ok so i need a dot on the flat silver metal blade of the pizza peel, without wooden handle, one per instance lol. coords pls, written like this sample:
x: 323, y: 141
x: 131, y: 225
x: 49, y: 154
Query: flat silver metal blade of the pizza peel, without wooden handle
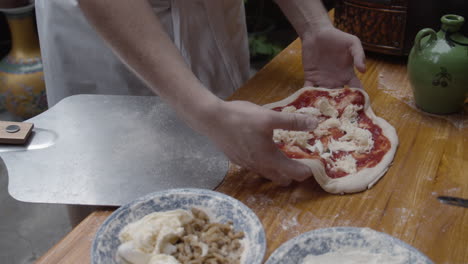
x: 108, y: 150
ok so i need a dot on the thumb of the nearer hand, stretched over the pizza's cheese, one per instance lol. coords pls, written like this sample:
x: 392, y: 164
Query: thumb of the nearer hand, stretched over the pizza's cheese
x: 293, y: 121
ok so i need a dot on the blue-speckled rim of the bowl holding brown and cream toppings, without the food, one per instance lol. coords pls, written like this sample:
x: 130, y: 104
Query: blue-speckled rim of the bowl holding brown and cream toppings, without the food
x: 220, y: 208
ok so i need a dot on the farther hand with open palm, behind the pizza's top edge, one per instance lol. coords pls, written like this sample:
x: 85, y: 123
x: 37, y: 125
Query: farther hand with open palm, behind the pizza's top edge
x: 329, y: 56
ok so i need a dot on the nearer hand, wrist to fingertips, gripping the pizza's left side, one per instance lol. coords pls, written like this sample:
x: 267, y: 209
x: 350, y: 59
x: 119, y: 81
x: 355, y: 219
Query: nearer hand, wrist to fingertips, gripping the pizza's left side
x: 244, y: 133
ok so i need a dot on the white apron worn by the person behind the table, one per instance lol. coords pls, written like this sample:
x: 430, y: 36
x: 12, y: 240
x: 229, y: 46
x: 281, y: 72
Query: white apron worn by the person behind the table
x: 210, y: 34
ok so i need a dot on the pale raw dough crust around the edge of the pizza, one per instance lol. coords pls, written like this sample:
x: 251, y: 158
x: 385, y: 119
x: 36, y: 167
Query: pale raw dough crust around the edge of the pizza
x: 363, y: 179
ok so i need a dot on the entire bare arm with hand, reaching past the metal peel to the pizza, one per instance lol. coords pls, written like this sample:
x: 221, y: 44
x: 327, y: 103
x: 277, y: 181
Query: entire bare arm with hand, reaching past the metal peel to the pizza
x: 242, y: 130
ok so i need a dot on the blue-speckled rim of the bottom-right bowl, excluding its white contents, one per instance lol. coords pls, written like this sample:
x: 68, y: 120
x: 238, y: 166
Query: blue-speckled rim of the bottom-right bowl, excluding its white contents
x: 327, y: 240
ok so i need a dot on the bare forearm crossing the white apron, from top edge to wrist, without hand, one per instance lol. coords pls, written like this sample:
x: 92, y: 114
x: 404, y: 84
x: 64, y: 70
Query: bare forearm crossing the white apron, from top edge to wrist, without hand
x: 138, y: 38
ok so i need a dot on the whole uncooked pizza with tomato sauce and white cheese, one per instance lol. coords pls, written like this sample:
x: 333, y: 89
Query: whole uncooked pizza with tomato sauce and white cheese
x: 340, y: 131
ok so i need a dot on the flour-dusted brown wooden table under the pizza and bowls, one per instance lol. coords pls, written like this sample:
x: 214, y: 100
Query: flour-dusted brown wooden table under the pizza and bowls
x: 432, y: 160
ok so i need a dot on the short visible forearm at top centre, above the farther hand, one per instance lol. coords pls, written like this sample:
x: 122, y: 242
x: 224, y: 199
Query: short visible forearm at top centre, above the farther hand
x: 306, y: 16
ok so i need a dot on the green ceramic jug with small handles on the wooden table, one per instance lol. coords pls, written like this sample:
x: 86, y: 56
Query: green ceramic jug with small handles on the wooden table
x: 438, y: 67
